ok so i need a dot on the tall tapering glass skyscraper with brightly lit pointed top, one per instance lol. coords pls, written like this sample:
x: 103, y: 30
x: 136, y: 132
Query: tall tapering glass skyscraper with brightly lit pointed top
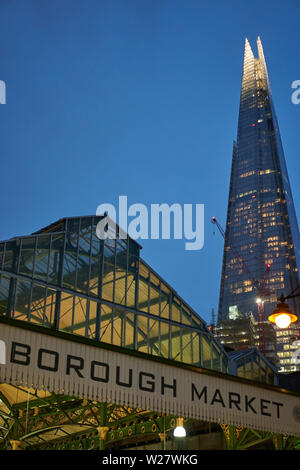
x: 262, y: 247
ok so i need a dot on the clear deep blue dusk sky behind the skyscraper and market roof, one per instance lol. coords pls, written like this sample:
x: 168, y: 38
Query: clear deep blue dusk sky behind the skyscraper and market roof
x: 138, y: 98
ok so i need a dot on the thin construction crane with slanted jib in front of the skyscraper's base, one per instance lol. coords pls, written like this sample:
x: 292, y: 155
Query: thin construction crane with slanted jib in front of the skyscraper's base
x: 260, y: 286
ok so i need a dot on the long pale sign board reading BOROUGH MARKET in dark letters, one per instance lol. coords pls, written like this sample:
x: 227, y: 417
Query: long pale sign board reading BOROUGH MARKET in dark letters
x: 90, y: 371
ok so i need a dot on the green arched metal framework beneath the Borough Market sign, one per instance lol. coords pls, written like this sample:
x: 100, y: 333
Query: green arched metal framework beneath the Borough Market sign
x: 30, y: 419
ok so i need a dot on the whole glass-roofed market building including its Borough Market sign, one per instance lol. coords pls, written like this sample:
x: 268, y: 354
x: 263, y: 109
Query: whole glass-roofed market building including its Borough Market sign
x: 97, y: 351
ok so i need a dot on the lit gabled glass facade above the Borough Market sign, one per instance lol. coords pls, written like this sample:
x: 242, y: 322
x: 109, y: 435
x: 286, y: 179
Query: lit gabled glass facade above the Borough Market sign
x: 63, y: 277
